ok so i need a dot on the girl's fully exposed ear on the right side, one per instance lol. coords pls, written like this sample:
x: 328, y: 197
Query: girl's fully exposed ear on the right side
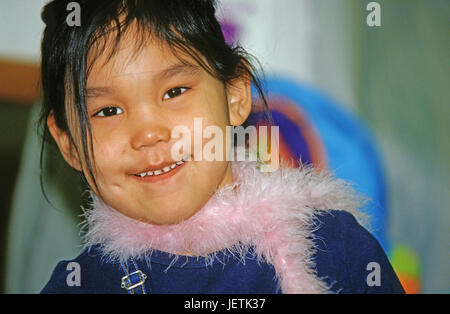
x: 239, y: 96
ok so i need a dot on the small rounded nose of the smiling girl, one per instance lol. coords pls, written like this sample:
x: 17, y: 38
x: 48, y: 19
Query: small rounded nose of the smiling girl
x: 148, y: 133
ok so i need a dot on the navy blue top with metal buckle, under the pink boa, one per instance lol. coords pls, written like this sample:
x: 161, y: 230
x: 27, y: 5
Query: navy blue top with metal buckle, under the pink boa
x: 348, y: 258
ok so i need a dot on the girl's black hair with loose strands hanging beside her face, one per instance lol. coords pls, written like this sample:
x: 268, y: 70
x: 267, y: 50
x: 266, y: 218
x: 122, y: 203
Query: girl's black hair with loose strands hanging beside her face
x: 187, y: 26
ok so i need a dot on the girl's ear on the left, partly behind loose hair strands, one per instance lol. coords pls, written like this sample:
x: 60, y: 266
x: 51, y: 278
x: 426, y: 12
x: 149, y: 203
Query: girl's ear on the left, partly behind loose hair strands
x: 65, y: 146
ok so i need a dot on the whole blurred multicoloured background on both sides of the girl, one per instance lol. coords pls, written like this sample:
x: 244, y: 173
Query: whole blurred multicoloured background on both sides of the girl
x: 370, y: 104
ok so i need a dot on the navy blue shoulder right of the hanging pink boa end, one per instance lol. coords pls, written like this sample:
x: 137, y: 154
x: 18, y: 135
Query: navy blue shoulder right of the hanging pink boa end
x: 349, y: 258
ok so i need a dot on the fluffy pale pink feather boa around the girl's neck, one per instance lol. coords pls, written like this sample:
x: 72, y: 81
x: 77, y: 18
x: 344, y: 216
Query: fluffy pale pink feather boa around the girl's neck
x: 272, y: 212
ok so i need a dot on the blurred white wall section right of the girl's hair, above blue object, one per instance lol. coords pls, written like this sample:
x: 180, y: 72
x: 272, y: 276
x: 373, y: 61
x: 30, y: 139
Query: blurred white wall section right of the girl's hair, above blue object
x: 308, y: 40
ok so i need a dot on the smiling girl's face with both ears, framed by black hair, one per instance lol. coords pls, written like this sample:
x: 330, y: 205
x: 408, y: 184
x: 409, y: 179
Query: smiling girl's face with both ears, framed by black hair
x: 134, y: 101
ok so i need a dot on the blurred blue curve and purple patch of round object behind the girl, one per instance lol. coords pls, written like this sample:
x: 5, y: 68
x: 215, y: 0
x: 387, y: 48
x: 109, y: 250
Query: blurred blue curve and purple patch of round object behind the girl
x: 351, y: 150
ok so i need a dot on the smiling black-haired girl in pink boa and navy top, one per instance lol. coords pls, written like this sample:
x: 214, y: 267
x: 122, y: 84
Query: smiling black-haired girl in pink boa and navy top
x: 114, y: 89
